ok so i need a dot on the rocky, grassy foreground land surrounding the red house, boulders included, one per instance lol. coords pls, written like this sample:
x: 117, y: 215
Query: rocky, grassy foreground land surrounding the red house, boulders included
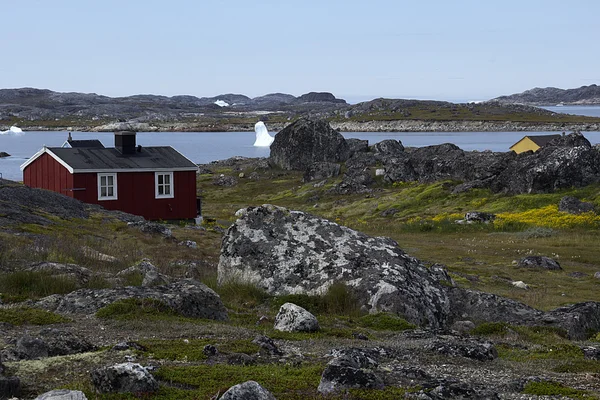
x: 334, y: 269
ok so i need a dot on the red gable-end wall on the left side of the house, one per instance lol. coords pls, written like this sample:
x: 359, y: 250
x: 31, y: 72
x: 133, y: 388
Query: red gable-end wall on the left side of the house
x: 47, y: 173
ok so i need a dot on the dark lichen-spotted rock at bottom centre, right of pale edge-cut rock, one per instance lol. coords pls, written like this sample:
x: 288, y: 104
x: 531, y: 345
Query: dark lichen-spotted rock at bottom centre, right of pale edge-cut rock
x: 350, y: 369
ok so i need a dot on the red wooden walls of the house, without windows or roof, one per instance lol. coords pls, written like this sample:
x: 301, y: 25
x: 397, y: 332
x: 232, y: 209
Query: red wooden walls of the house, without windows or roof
x: 135, y: 190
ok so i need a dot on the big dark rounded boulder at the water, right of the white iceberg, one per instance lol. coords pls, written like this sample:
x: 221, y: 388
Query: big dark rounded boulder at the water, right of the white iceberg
x: 305, y: 142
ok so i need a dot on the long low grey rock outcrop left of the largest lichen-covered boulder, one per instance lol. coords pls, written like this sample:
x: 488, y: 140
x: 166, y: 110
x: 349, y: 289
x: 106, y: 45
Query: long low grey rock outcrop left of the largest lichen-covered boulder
x: 186, y: 297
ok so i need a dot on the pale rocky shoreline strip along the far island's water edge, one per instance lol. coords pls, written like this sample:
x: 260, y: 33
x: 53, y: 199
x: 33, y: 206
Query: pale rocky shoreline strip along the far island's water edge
x: 346, y: 126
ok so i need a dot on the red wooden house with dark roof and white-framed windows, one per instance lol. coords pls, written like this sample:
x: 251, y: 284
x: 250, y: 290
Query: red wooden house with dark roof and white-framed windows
x: 154, y: 182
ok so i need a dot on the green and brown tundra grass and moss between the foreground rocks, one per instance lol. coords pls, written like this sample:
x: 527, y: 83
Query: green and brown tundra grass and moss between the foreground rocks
x: 477, y: 256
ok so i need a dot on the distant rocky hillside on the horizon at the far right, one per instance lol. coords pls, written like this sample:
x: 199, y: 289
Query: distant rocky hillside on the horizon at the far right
x: 550, y: 96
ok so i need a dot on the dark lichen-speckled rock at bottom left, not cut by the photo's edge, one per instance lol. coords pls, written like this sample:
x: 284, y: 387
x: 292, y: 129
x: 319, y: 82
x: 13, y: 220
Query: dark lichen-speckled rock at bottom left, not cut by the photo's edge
x: 123, y: 378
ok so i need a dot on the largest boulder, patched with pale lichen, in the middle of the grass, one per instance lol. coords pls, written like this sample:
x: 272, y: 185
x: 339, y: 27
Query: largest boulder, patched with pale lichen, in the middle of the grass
x: 287, y: 252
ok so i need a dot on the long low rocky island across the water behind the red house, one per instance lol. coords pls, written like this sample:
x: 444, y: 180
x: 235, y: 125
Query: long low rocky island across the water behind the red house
x: 39, y: 109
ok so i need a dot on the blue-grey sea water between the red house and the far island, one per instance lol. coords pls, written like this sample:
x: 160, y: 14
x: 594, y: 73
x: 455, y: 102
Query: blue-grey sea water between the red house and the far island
x: 204, y: 147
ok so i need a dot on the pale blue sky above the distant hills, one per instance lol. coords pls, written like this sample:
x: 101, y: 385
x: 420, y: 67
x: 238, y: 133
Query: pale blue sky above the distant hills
x: 456, y: 50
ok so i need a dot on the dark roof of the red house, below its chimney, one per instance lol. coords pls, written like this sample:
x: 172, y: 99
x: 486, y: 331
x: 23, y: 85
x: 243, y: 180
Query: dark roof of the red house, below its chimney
x: 149, y: 158
